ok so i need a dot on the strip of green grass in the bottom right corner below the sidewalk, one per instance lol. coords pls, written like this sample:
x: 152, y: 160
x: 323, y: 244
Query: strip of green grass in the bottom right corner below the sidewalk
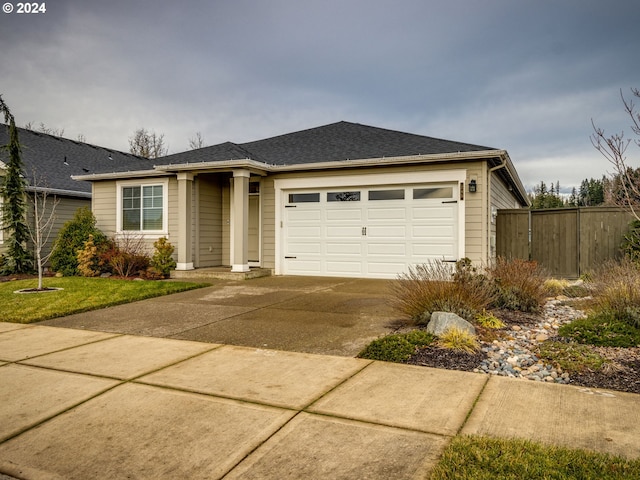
x: 482, y: 458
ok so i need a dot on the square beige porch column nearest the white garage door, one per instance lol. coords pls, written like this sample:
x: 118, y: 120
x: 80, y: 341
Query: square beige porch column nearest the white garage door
x: 240, y: 222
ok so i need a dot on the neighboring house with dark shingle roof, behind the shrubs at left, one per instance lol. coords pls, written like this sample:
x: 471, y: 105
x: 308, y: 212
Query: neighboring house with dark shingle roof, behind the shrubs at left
x: 50, y: 161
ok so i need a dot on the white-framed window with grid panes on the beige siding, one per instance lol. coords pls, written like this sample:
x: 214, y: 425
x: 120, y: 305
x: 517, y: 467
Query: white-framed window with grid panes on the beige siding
x: 142, y: 206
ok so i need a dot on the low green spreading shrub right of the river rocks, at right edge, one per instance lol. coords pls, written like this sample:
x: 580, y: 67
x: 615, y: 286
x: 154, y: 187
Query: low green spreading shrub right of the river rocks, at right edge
x: 602, y: 329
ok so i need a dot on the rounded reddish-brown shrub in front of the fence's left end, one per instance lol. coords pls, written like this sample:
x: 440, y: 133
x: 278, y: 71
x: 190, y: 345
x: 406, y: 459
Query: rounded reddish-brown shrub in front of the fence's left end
x: 519, y: 284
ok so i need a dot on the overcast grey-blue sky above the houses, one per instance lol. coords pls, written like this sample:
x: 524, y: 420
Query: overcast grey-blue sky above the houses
x: 526, y: 76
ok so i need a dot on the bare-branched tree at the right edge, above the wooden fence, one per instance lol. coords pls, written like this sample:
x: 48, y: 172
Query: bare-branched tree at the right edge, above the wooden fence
x: 613, y: 148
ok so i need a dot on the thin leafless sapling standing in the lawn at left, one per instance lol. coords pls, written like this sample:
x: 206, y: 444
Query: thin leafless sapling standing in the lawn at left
x: 44, y: 217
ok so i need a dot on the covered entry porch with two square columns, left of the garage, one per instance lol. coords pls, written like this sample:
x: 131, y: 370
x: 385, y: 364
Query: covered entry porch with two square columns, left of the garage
x: 217, y: 217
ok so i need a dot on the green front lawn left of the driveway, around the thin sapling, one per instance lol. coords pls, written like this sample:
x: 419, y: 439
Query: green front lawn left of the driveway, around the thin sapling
x: 79, y: 294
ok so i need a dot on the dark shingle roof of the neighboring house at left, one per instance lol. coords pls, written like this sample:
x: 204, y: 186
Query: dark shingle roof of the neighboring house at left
x: 55, y: 159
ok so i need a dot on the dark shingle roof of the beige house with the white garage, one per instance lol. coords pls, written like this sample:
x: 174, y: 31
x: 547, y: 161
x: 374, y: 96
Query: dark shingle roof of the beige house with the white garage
x: 335, y: 142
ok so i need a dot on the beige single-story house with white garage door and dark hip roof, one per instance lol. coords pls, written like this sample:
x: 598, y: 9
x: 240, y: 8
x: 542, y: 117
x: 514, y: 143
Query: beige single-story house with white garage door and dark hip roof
x: 343, y: 199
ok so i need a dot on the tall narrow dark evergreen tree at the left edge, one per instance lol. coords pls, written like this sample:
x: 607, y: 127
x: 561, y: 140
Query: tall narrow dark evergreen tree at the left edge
x: 19, y: 260
